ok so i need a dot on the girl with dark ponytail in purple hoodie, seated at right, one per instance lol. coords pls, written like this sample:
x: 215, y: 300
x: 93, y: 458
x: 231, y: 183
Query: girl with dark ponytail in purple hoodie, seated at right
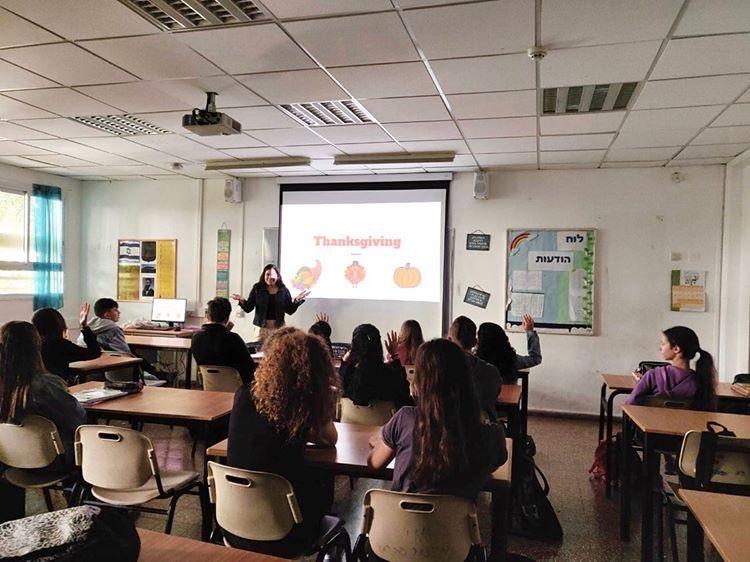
x: 677, y: 380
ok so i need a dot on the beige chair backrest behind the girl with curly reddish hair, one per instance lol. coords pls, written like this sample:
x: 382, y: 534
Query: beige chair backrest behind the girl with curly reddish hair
x: 253, y: 505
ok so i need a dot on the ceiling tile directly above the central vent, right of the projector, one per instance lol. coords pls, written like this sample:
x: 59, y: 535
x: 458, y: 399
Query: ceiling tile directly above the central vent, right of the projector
x: 294, y: 86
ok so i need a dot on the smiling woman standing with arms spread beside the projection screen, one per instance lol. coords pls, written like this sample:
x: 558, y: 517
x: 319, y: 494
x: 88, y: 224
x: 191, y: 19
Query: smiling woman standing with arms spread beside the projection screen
x: 271, y: 300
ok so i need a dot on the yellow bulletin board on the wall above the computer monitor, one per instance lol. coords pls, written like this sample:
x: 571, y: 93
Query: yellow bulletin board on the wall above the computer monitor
x: 146, y: 269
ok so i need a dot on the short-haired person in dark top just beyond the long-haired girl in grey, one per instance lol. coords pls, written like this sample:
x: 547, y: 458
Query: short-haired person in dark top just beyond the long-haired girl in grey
x: 487, y: 379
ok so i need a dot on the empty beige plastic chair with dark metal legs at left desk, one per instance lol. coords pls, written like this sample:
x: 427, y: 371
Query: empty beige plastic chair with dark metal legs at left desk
x: 120, y: 469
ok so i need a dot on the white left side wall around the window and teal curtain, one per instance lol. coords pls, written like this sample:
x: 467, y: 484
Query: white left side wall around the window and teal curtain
x: 23, y: 178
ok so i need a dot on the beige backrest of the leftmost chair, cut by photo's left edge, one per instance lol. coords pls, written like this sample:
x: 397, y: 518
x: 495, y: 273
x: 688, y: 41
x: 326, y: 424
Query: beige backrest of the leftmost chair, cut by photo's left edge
x: 32, y: 443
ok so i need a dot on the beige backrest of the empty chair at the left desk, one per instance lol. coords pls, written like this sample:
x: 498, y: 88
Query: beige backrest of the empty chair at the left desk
x: 115, y: 458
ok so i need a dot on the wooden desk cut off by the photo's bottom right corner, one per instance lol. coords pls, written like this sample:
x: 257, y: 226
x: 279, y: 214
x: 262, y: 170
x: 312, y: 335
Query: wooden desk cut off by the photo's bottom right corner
x: 723, y: 518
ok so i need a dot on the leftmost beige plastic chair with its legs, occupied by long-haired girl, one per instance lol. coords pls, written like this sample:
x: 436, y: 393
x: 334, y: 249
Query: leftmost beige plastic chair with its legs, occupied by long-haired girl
x: 35, y: 444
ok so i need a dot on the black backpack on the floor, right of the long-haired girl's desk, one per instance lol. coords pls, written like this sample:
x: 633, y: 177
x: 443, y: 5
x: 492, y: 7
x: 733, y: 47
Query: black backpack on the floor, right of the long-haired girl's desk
x: 533, y: 515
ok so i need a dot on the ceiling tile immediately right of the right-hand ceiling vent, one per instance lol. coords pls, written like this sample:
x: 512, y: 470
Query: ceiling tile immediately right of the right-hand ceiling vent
x: 691, y: 91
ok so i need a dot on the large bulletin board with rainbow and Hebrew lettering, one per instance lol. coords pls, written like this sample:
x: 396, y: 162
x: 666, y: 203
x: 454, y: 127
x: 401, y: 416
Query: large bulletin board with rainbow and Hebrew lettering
x: 550, y: 275
